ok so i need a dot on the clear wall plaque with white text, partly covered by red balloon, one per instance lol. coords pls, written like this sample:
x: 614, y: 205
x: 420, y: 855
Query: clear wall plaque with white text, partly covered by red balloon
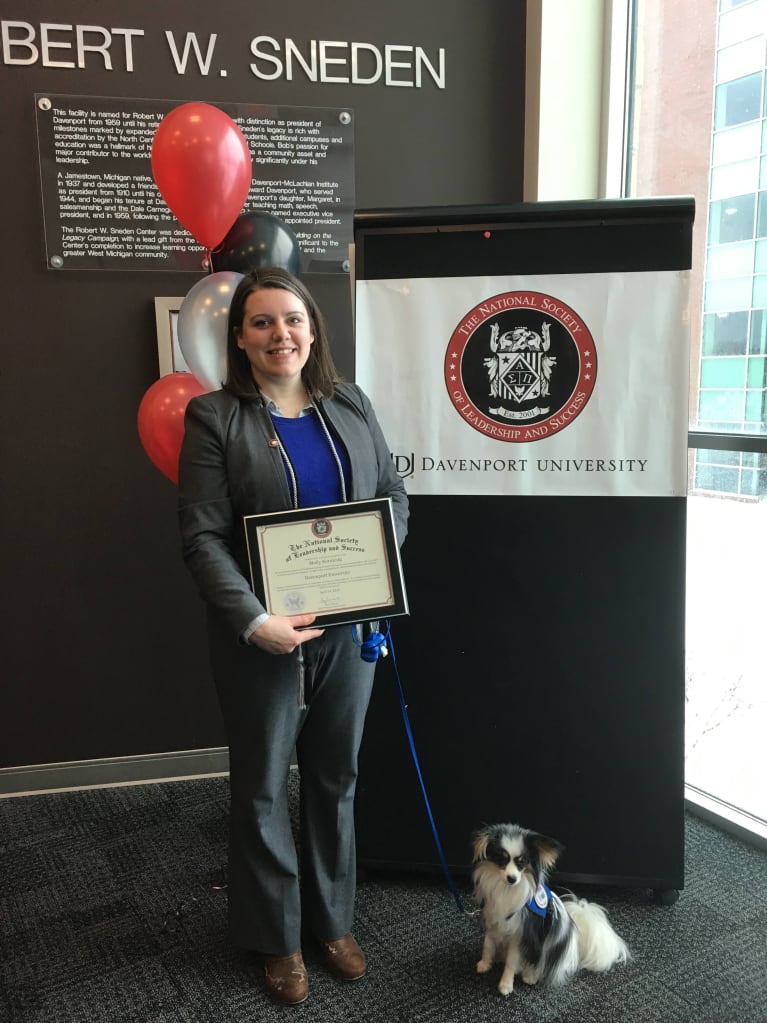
x: 103, y: 210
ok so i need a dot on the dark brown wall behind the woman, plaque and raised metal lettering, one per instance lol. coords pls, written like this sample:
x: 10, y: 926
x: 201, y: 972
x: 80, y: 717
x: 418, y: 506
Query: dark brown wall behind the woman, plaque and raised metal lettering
x: 102, y: 641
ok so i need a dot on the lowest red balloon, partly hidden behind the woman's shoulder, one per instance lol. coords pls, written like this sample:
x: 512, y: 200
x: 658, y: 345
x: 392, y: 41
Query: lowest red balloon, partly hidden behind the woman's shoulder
x: 161, y: 420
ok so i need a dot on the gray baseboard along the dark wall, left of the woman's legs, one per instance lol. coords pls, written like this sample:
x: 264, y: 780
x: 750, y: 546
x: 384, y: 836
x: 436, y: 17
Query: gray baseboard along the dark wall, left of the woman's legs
x: 111, y: 772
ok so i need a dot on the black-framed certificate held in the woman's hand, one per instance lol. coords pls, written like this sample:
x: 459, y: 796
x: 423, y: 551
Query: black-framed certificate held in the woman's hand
x: 340, y: 562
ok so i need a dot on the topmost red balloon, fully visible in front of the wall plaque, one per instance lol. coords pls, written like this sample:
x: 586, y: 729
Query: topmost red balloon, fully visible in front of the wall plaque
x: 202, y: 166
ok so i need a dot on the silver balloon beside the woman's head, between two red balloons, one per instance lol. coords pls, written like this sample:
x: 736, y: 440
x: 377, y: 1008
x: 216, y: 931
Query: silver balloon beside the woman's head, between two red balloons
x: 203, y: 321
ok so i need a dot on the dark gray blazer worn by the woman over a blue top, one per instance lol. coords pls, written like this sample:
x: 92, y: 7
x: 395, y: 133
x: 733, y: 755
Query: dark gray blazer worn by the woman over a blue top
x: 229, y: 470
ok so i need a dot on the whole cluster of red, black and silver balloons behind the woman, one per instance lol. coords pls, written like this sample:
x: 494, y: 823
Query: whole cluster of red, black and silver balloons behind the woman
x: 202, y: 166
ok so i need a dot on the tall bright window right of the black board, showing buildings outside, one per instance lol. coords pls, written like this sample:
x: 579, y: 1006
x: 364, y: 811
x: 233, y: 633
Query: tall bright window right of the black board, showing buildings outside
x: 700, y: 126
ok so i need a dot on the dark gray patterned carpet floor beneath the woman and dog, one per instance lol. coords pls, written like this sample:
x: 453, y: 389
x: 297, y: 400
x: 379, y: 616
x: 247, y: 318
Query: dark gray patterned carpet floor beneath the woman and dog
x: 113, y: 908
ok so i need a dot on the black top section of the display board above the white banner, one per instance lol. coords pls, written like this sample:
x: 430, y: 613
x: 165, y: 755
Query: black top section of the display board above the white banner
x: 578, y: 237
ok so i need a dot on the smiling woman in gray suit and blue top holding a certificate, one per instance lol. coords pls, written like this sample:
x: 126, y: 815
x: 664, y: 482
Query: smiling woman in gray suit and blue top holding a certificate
x: 283, y: 433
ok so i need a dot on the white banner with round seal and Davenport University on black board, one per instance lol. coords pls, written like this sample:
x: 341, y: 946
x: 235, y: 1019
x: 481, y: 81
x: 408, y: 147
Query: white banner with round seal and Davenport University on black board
x: 572, y: 385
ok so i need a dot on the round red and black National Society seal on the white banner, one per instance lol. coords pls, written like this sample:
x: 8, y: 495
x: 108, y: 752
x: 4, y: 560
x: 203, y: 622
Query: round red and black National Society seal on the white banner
x: 521, y: 367
